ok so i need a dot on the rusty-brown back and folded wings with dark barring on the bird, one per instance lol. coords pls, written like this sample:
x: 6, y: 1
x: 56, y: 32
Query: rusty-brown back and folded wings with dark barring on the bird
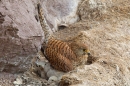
x: 60, y: 55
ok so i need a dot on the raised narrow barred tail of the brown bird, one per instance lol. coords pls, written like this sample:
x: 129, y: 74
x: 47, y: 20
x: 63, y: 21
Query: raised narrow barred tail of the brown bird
x: 45, y: 27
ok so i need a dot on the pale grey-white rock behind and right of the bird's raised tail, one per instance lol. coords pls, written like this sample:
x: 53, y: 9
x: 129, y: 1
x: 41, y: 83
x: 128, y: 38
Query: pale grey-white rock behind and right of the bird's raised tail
x: 60, y: 12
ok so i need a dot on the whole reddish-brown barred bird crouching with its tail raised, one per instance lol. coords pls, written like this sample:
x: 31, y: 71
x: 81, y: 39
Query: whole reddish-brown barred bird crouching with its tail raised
x: 63, y: 56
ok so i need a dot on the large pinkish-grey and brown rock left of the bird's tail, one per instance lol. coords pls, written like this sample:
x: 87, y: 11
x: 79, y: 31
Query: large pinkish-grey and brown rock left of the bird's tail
x: 20, y: 35
